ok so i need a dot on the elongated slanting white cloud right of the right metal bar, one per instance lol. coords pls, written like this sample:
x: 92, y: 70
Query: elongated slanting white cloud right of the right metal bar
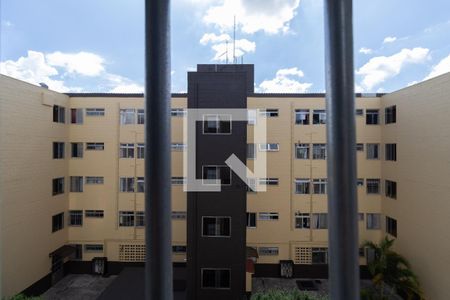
x: 380, y: 68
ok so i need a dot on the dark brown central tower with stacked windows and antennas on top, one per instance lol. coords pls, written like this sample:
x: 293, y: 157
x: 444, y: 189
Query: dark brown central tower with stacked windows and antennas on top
x: 216, y: 222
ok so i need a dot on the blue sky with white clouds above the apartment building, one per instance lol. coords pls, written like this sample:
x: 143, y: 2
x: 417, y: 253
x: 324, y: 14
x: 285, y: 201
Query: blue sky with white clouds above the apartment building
x: 98, y: 46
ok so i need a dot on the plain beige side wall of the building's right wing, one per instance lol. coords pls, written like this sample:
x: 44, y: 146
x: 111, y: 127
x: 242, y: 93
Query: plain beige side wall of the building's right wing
x: 422, y: 172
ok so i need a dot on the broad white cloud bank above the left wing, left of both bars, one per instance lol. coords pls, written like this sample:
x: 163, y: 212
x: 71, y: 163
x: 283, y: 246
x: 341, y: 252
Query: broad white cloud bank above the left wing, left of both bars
x: 50, y: 68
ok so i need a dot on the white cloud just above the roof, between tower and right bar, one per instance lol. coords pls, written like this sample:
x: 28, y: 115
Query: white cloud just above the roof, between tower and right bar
x: 285, y: 81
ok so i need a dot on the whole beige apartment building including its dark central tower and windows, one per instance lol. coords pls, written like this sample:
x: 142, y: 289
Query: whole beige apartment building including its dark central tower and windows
x: 72, y: 173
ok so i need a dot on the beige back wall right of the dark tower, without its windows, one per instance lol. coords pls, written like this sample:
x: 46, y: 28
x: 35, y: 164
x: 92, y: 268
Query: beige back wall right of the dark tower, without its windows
x: 283, y: 165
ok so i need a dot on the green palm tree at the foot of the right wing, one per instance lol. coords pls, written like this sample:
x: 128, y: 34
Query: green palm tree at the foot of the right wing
x: 390, y: 268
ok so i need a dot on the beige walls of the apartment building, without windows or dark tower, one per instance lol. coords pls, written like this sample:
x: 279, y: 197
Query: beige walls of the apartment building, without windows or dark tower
x: 27, y: 169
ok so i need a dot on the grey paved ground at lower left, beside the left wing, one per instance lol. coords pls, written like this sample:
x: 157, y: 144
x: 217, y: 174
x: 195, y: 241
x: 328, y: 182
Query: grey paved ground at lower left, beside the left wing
x: 78, y: 287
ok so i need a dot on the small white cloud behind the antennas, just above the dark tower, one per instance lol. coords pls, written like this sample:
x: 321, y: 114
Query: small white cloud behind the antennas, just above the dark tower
x: 224, y: 50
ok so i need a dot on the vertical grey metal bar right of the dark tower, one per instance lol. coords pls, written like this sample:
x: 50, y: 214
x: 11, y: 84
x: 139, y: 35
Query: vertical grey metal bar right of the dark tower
x: 341, y: 146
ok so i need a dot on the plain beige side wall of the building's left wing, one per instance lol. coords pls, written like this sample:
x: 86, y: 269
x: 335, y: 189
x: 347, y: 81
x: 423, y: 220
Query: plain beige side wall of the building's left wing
x: 27, y: 133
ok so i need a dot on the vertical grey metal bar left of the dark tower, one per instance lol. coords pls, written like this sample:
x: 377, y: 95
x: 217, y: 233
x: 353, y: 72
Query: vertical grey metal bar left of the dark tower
x: 158, y: 267
